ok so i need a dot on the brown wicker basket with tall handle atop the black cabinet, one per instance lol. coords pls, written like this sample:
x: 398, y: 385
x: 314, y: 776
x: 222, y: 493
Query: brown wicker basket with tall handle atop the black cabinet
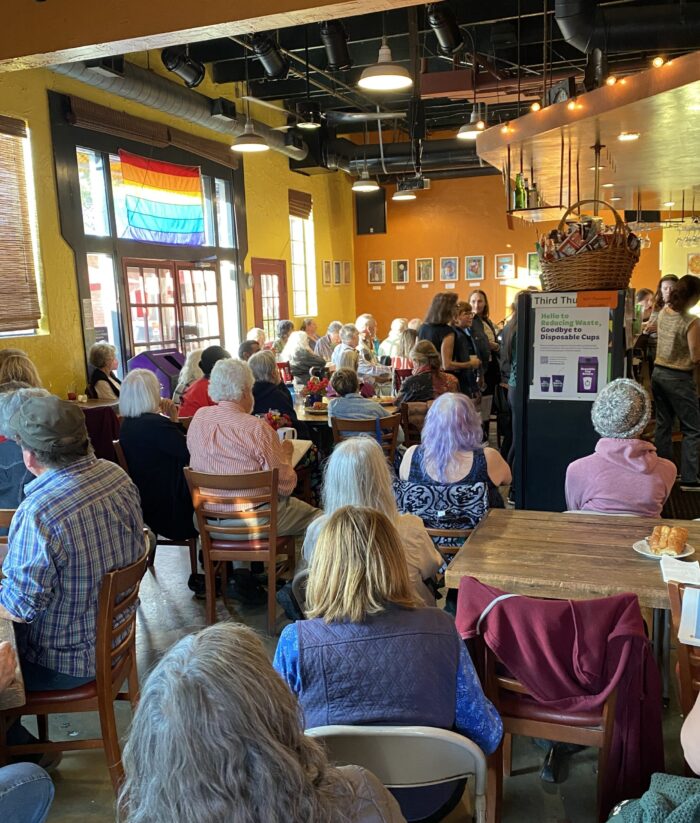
x: 608, y: 268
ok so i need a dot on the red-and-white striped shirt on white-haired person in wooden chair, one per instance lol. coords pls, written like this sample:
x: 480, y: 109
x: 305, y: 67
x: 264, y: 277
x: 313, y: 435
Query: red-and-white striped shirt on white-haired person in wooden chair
x: 224, y: 439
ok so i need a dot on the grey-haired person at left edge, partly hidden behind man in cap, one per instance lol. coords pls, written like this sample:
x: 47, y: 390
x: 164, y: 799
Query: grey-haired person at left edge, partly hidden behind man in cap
x: 13, y: 473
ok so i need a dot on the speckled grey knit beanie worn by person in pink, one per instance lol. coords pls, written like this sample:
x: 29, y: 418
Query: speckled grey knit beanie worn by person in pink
x: 621, y: 410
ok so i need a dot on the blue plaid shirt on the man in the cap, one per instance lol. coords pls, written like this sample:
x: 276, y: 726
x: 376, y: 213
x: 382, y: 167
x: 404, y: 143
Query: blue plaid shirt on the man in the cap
x: 74, y: 525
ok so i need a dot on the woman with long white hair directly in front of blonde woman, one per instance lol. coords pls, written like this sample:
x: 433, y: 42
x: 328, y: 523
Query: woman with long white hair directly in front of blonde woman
x: 357, y: 474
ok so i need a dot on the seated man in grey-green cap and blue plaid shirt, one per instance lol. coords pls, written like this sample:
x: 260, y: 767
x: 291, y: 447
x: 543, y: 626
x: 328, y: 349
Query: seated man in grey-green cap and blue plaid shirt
x: 80, y: 519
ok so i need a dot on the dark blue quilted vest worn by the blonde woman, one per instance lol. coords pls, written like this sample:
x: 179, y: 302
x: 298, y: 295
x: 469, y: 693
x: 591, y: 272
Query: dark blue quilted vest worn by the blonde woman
x: 395, y: 668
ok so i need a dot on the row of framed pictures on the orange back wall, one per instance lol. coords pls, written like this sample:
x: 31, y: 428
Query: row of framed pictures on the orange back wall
x: 504, y: 266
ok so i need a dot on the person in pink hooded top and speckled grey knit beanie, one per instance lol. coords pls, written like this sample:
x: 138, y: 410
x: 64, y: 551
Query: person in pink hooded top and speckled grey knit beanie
x: 624, y: 475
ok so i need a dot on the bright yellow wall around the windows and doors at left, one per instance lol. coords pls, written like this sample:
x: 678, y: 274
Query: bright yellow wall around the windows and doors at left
x: 58, y: 349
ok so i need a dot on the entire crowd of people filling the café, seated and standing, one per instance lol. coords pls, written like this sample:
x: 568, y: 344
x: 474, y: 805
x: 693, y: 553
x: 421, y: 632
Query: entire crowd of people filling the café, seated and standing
x: 373, y: 568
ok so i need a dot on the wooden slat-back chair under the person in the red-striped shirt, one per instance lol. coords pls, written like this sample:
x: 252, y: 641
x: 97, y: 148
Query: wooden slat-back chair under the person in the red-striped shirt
x: 258, y: 492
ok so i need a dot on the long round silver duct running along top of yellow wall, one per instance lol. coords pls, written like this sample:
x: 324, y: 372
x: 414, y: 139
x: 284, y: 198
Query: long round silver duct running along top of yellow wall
x: 156, y: 92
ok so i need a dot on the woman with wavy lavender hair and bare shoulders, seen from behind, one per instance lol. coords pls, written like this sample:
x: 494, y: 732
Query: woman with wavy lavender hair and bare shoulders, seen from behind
x: 451, y: 480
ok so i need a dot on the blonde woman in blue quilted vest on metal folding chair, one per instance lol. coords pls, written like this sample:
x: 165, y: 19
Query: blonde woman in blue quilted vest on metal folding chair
x: 369, y: 653
